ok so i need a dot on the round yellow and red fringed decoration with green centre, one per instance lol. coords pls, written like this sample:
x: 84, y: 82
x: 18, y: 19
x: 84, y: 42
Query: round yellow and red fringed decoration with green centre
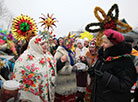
x: 22, y: 25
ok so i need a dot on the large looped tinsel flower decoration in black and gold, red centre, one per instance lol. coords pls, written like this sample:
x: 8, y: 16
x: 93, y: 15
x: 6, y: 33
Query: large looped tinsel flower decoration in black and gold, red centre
x: 109, y: 21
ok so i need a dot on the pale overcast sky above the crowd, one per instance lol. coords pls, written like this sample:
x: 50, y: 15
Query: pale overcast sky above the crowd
x: 72, y: 15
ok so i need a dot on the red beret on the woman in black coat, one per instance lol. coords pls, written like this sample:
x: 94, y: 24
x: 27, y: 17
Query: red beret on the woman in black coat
x: 114, y: 36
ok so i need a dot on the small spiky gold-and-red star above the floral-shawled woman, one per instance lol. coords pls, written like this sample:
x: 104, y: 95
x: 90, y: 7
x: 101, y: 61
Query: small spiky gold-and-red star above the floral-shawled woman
x: 48, y: 21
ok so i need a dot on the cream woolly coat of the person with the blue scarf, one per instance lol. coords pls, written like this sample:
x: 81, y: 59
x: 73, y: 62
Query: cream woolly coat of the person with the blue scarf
x: 66, y: 79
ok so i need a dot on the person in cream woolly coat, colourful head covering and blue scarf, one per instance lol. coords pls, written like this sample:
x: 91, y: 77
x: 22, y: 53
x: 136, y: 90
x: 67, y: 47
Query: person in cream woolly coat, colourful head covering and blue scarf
x: 66, y: 77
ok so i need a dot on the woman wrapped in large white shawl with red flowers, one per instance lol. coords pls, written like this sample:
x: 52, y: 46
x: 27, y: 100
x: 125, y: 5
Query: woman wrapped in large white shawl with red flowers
x: 35, y: 70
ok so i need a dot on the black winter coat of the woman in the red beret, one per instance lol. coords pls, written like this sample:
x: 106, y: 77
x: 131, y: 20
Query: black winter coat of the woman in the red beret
x: 119, y: 75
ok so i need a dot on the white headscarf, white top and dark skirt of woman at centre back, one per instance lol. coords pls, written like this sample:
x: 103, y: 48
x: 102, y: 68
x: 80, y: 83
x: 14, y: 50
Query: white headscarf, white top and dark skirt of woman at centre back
x: 81, y: 75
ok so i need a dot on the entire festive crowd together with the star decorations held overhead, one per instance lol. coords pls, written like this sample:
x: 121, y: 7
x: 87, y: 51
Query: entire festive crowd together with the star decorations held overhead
x: 71, y: 68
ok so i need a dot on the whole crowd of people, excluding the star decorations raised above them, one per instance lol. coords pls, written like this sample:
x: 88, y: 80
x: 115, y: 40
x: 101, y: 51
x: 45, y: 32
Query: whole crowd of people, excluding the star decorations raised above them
x: 67, y: 70
